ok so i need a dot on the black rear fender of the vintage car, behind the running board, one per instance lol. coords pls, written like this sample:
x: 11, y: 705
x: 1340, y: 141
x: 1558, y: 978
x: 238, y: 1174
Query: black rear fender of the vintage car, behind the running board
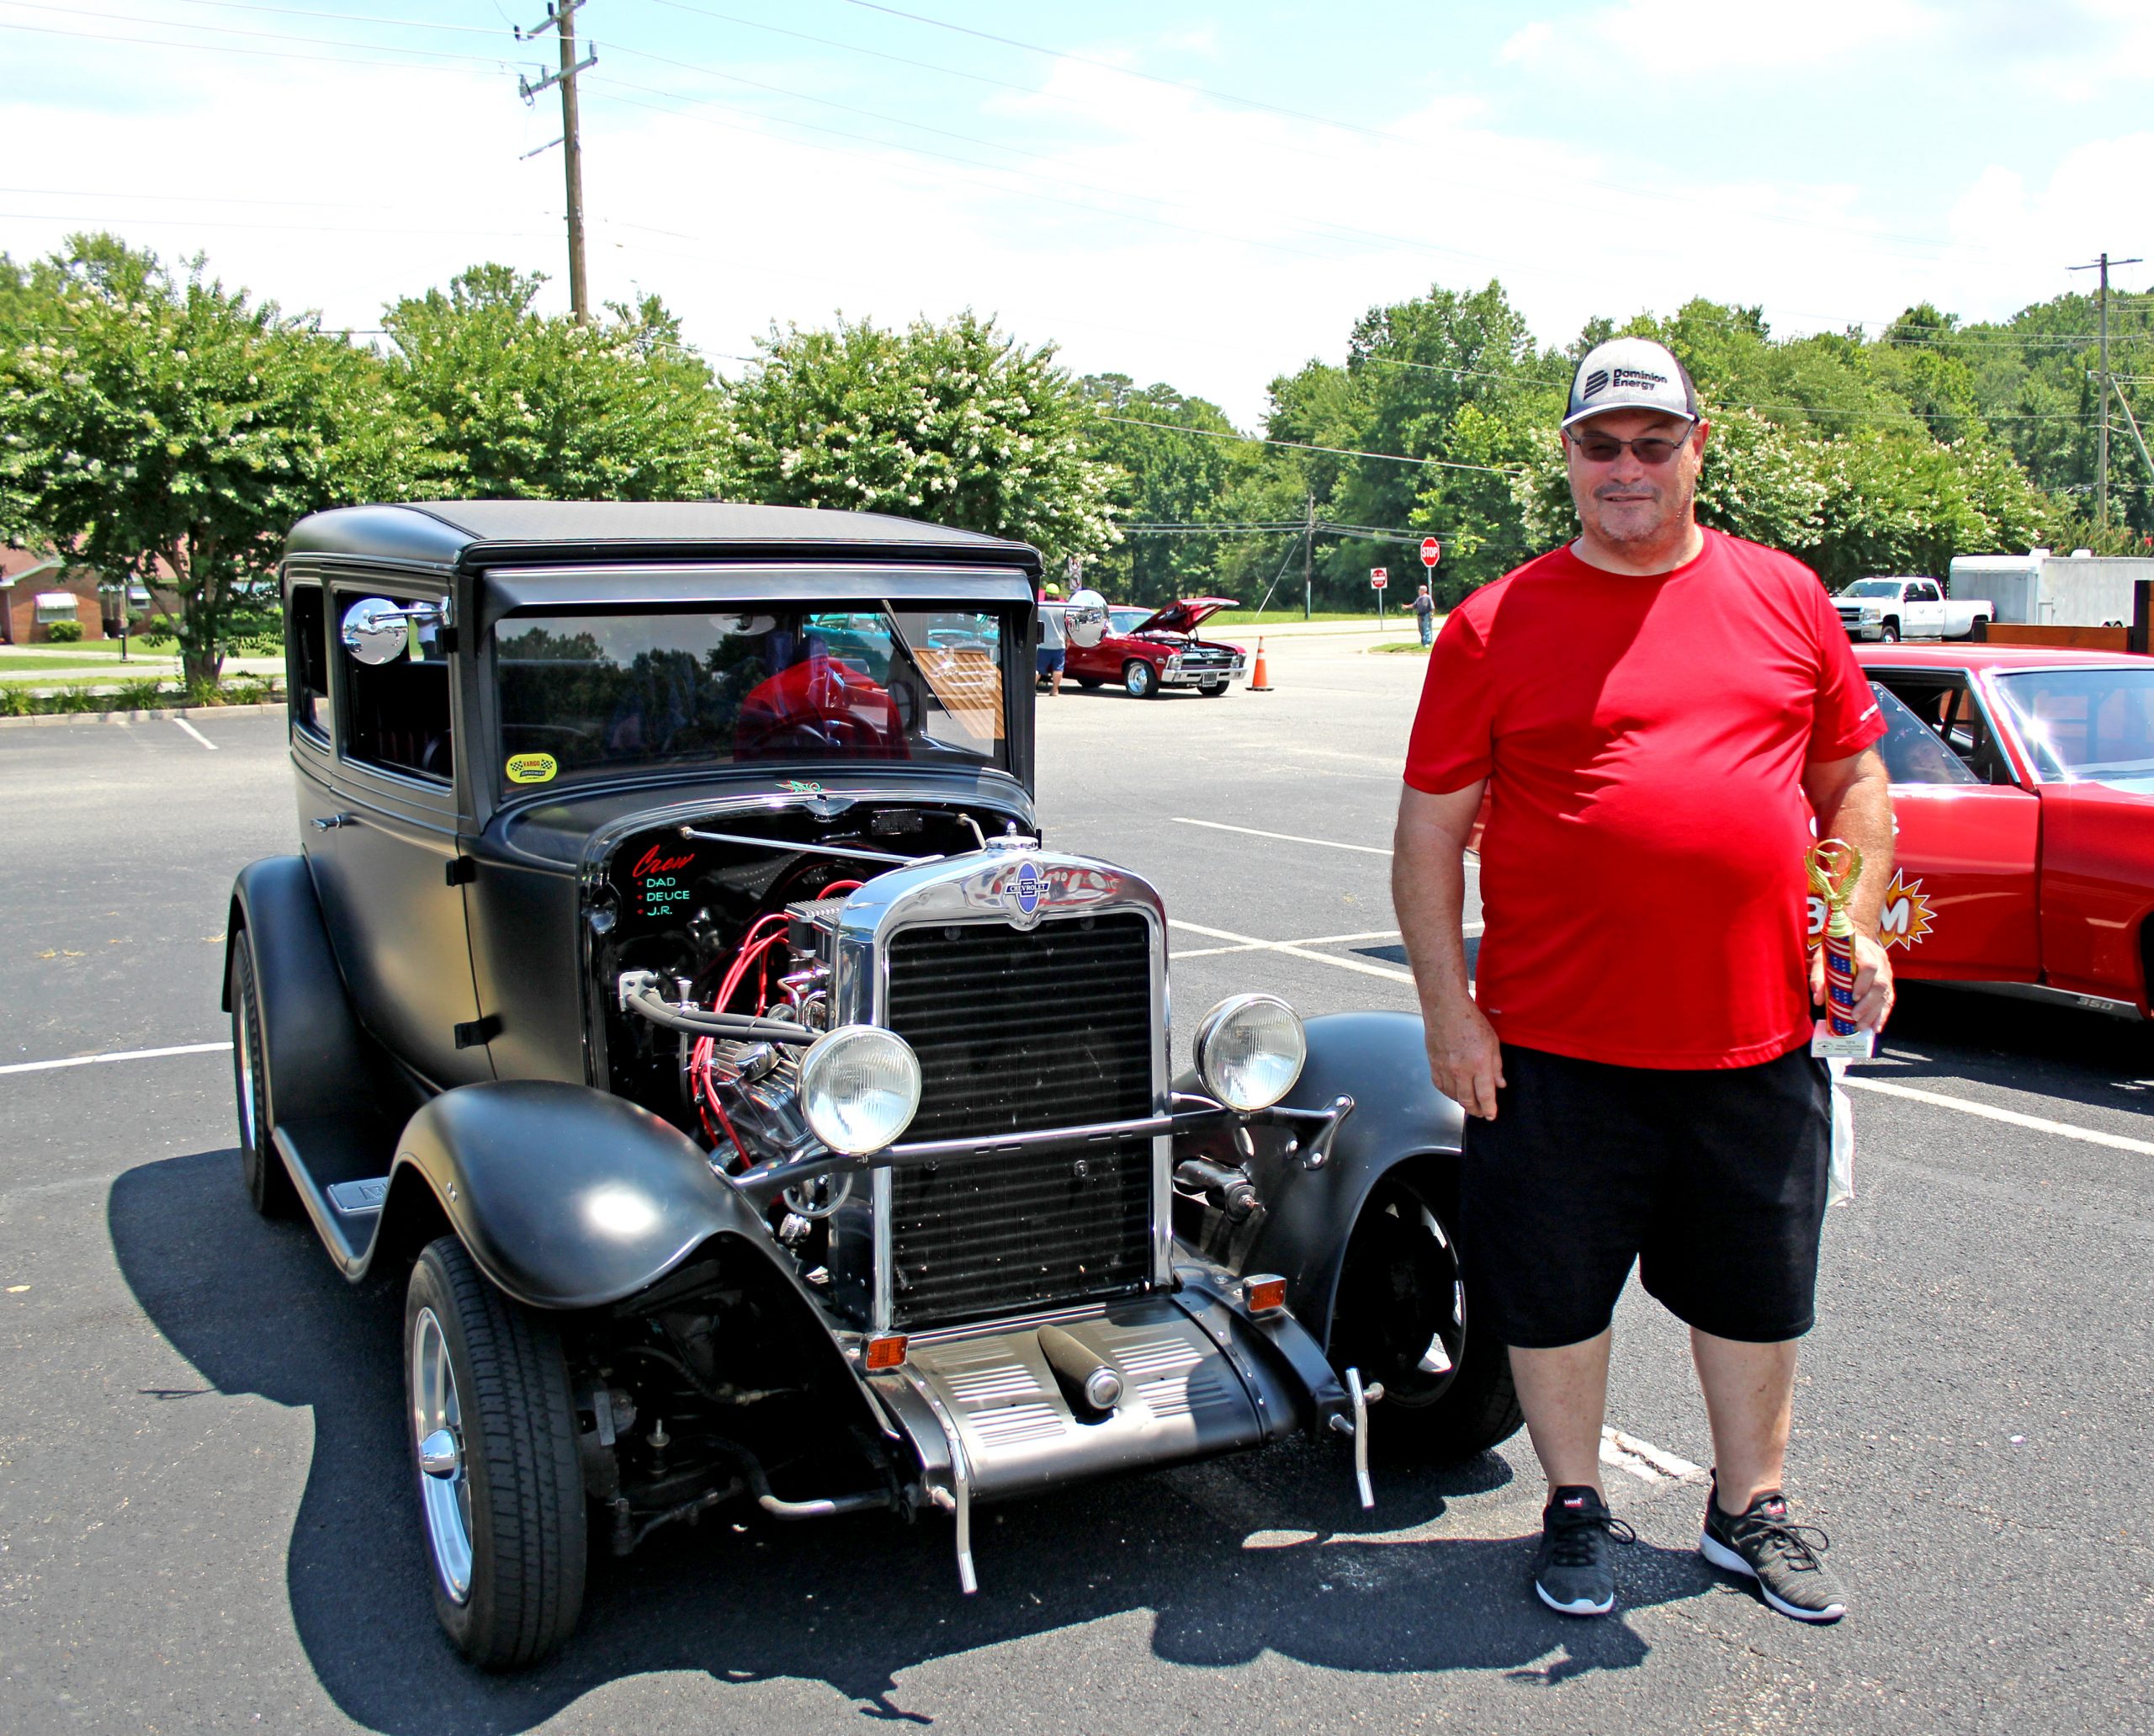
x: 316, y: 1052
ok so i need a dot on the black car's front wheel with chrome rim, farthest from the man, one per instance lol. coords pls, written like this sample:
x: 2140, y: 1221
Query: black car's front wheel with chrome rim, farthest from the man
x: 494, y: 1453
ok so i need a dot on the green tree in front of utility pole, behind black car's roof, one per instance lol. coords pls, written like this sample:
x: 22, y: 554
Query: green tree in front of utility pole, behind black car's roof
x: 516, y: 404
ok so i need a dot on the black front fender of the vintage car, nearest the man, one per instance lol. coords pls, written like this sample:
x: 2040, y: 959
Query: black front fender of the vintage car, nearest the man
x: 1399, y: 1117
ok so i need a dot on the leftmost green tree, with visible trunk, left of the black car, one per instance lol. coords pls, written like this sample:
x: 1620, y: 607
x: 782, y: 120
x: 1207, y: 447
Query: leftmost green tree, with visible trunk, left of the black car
x: 169, y: 432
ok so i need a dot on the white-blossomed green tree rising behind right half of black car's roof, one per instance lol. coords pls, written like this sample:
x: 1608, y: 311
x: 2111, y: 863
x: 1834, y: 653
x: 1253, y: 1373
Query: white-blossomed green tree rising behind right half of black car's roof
x: 951, y: 423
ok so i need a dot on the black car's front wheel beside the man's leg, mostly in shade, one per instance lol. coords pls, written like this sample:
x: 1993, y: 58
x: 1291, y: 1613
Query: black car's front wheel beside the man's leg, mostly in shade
x: 1401, y: 1319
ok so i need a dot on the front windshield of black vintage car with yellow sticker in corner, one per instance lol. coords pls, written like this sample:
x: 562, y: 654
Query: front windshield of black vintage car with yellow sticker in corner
x: 609, y: 692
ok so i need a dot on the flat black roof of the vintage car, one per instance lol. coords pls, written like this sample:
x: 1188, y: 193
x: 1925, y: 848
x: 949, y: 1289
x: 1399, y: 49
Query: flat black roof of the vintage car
x: 488, y: 533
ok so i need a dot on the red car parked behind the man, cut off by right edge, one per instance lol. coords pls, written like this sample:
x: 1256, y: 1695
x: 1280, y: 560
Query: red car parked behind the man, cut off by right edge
x: 2024, y: 789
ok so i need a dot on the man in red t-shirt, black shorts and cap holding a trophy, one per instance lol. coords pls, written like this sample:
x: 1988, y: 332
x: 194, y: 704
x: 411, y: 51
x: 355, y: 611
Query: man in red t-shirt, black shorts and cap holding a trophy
x: 1658, y: 714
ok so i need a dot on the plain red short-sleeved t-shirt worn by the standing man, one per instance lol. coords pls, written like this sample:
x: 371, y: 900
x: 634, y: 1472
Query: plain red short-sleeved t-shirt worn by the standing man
x: 1645, y: 744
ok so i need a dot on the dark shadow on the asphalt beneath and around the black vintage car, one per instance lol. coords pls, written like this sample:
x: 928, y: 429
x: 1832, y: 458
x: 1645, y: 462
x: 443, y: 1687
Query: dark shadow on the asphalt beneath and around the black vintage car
x: 257, y: 1311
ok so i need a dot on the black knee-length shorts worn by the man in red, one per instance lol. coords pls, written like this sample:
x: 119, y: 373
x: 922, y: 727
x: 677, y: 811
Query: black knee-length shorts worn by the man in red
x: 1711, y: 1179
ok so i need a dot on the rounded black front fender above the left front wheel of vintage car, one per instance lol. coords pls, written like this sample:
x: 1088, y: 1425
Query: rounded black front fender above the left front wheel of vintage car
x: 568, y: 1196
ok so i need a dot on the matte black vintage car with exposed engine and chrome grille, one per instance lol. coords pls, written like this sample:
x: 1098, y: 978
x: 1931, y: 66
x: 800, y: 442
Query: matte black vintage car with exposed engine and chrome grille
x: 675, y: 985
